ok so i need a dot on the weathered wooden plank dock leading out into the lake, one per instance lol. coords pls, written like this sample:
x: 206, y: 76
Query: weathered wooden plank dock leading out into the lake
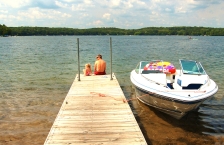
x: 94, y: 113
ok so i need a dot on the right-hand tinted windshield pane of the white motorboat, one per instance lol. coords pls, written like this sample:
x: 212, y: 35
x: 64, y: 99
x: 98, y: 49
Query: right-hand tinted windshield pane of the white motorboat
x: 191, y: 67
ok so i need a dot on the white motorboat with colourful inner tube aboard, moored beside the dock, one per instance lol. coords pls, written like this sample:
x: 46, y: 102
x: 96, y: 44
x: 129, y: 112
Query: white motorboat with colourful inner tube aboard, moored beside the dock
x: 173, y: 91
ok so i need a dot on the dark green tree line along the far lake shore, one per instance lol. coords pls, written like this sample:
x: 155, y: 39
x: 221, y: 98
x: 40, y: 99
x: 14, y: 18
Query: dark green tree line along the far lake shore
x: 43, y: 31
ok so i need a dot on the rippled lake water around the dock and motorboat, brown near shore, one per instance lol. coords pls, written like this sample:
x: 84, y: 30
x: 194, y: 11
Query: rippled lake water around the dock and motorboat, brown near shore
x: 36, y: 73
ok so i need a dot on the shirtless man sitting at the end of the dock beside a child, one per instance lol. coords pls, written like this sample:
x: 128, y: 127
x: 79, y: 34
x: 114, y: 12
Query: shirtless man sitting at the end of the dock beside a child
x: 100, y: 66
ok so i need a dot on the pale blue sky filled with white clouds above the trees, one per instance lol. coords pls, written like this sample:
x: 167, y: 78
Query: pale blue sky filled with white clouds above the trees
x: 125, y: 14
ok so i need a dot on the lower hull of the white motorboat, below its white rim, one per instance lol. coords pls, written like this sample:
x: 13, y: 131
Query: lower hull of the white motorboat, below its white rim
x: 174, y: 108
